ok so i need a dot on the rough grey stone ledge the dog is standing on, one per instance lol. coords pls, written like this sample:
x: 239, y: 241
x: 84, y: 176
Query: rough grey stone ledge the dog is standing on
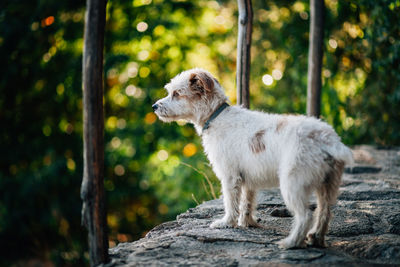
x: 365, y: 228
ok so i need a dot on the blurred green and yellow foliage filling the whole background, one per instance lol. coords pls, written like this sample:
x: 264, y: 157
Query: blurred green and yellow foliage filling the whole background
x: 155, y: 170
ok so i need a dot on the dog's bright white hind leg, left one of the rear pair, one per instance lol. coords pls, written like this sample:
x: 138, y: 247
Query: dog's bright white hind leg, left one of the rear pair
x: 296, y: 197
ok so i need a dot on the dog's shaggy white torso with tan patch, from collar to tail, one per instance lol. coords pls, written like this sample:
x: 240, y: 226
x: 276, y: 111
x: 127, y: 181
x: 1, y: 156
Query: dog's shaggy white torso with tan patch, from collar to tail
x: 262, y: 145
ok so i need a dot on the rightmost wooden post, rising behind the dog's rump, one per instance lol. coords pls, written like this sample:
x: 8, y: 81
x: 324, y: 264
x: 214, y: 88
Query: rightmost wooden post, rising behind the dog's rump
x: 315, y: 54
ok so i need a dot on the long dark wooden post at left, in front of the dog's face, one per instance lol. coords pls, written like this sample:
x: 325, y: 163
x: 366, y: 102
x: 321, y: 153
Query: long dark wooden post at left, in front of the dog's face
x: 92, y: 190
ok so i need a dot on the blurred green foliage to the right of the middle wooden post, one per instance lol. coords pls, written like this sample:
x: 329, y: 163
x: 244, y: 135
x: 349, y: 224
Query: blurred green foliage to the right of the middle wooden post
x: 361, y: 75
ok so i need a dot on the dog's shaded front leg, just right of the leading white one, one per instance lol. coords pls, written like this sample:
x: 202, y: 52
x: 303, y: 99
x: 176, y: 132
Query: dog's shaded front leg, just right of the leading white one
x: 246, y: 210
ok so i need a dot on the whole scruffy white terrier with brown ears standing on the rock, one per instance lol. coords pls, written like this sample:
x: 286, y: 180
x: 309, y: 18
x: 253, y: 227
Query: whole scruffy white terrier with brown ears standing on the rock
x: 251, y: 150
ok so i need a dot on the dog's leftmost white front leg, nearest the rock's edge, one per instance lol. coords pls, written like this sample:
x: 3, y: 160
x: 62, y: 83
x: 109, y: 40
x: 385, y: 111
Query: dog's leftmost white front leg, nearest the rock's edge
x: 231, y: 189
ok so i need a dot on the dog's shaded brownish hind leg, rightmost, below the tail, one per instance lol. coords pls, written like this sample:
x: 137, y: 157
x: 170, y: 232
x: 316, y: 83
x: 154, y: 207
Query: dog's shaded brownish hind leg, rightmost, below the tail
x: 326, y: 196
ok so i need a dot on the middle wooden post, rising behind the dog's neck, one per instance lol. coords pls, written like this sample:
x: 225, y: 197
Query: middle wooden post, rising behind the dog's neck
x: 245, y: 24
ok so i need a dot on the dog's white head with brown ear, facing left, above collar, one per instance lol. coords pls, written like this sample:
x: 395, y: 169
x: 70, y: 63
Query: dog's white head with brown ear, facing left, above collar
x: 192, y: 96
